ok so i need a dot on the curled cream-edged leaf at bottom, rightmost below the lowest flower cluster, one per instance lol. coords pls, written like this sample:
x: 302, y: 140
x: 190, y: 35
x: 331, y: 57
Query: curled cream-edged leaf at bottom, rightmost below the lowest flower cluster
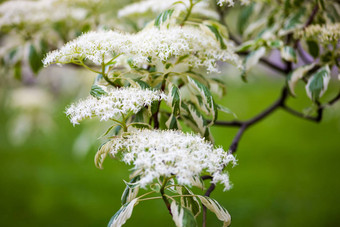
x: 220, y: 212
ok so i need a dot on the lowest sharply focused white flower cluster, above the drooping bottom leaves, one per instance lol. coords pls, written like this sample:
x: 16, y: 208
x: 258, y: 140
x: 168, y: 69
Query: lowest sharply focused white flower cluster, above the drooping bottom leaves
x: 156, y: 153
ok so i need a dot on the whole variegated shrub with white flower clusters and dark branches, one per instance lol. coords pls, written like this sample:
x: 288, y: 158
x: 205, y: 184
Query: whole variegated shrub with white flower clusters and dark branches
x: 152, y: 81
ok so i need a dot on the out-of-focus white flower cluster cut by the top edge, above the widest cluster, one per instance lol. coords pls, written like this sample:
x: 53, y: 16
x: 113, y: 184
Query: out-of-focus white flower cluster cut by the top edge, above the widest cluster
x: 158, y: 6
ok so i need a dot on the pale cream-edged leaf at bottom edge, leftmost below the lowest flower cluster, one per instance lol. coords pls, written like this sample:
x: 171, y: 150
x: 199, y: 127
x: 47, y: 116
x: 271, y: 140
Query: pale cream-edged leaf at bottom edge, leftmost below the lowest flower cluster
x: 123, y: 214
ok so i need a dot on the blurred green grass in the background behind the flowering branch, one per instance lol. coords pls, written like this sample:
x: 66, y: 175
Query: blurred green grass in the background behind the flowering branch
x: 287, y: 173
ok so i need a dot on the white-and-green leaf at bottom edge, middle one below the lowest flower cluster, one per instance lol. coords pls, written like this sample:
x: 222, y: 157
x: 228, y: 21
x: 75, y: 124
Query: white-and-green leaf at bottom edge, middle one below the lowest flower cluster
x: 182, y: 216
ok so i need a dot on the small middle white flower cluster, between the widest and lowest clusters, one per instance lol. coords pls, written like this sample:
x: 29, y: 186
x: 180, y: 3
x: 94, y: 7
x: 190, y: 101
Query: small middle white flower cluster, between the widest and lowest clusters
x: 113, y: 105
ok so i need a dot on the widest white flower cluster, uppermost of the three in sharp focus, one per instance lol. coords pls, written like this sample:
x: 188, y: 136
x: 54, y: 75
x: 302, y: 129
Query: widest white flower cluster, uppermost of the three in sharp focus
x: 161, y: 45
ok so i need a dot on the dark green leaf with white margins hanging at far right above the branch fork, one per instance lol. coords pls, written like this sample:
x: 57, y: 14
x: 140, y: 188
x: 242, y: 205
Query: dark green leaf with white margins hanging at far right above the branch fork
x: 318, y: 83
